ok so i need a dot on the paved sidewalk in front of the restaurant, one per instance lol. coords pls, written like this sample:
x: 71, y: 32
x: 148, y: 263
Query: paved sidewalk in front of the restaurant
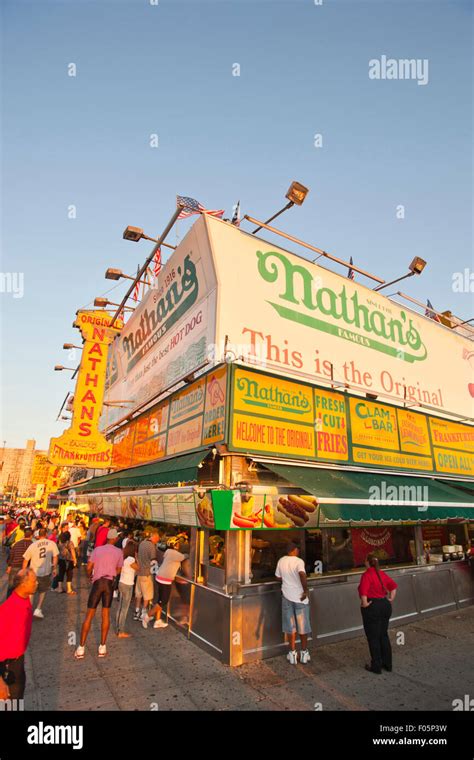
x: 163, y: 670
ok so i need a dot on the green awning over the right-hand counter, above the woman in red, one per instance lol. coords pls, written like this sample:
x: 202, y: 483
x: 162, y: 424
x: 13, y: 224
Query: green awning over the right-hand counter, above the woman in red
x: 363, y: 496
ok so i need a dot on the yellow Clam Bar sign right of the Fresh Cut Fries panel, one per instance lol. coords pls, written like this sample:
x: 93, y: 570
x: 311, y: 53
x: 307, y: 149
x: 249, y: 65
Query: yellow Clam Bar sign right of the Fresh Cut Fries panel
x: 374, y: 424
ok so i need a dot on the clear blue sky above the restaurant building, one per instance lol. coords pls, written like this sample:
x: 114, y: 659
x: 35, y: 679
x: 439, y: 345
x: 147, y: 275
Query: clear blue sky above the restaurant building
x: 167, y: 69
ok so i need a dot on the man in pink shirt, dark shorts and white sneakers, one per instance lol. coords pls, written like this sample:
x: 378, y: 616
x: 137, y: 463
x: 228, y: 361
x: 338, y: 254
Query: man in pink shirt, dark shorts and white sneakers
x: 104, y: 564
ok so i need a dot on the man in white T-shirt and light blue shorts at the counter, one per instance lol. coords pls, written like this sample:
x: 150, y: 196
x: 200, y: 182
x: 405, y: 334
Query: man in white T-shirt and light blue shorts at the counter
x: 290, y: 571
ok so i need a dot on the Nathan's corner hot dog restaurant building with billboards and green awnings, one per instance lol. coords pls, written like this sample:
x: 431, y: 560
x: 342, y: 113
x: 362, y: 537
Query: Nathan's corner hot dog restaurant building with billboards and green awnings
x: 270, y: 399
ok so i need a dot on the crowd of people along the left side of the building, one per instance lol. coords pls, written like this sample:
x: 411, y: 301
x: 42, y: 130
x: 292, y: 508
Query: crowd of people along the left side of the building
x: 125, y: 561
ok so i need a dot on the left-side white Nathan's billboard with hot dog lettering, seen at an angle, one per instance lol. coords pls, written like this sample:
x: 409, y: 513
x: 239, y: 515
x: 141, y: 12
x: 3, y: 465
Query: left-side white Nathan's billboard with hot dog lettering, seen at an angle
x: 171, y: 332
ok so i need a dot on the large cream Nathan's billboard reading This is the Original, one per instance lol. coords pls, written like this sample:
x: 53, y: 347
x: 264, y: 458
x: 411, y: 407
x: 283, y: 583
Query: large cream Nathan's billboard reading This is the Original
x: 281, y: 311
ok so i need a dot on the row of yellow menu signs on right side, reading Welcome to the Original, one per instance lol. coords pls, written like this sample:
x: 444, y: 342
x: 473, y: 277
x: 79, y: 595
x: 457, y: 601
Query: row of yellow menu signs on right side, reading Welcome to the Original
x: 296, y: 421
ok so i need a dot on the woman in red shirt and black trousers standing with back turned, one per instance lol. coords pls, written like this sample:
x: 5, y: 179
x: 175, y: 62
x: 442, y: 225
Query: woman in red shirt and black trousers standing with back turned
x: 377, y: 591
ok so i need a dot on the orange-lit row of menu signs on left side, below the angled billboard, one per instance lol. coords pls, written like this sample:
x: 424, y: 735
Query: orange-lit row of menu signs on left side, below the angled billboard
x: 189, y: 419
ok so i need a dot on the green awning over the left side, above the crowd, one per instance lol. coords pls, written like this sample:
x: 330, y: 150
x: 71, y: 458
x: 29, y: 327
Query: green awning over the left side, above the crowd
x: 169, y: 472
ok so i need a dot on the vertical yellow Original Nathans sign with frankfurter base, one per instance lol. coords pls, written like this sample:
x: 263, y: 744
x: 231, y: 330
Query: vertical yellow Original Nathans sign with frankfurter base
x: 82, y: 443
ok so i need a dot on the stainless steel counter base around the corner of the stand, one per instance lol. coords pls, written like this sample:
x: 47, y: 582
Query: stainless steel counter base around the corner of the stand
x: 246, y: 625
